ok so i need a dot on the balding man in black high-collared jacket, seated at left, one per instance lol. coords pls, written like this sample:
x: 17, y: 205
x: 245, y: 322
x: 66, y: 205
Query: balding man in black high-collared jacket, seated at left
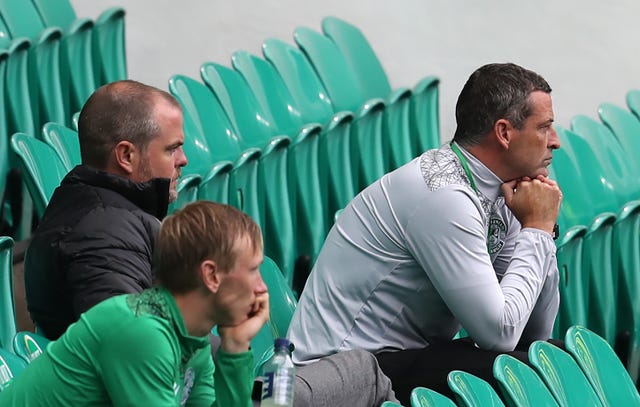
x: 97, y: 234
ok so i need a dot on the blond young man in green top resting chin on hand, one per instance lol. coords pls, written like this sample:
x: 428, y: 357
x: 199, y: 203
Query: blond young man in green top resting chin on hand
x: 151, y: 348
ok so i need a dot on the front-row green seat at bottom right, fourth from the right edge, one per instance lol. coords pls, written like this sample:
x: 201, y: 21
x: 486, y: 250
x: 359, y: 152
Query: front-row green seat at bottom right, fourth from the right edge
x: 472, y: 391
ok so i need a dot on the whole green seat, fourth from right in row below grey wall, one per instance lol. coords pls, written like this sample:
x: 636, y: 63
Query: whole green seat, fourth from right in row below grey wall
x: 304, y: 187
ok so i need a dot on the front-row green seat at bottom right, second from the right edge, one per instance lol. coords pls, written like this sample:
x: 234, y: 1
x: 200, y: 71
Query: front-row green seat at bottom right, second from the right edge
x: 562, y: 375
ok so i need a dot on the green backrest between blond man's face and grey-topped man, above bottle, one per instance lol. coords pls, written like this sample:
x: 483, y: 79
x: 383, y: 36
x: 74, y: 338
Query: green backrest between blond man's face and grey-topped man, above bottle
x: 282, y: 301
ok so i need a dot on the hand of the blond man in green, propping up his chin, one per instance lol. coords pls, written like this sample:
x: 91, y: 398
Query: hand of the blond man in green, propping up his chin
x: 237, y: 338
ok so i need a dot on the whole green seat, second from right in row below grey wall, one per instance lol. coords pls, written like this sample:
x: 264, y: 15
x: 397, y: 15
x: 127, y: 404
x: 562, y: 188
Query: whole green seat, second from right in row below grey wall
x: 369, y: 159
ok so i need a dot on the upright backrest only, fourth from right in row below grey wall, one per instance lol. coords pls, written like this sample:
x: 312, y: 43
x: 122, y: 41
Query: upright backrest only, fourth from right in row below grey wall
x: 270, y: 91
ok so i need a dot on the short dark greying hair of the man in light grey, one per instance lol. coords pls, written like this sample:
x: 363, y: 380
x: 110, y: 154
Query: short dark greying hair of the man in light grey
x: 494, y: 92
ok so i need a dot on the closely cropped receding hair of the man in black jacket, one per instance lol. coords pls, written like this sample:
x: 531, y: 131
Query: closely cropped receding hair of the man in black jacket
x: 119, y: 111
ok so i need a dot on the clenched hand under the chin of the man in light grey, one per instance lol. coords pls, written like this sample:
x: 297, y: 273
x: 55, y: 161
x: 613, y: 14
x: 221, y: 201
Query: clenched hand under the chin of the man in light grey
x: 534, y: 202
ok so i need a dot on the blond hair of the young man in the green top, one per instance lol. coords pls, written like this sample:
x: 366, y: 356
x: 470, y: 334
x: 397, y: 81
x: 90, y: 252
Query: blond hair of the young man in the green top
x: 200, y: 231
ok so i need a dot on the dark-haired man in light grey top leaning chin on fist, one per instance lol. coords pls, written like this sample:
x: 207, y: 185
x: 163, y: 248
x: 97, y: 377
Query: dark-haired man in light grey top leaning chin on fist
x: 459, y: 237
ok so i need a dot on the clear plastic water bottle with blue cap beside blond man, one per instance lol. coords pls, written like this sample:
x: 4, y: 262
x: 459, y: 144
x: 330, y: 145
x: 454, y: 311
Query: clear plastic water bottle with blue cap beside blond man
x: 279, y: 376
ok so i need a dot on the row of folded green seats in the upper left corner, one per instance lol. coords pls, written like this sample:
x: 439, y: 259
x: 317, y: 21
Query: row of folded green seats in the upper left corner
x: 50, y: 62
